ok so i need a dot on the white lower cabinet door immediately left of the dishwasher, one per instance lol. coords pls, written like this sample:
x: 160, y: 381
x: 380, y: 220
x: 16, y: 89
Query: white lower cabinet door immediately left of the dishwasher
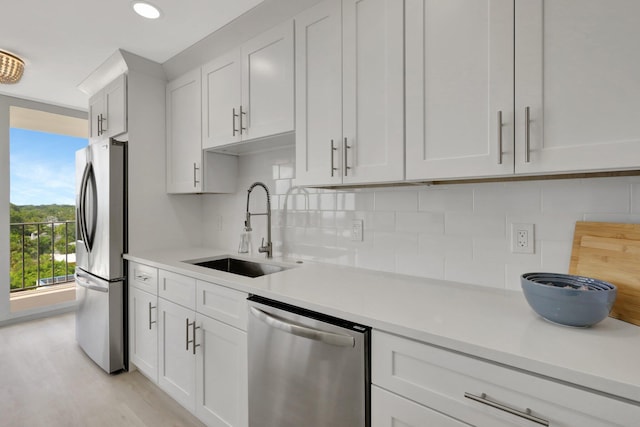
x: 221, y: 363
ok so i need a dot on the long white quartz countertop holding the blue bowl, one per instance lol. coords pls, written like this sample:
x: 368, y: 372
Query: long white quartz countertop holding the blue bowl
x: 493, y: 324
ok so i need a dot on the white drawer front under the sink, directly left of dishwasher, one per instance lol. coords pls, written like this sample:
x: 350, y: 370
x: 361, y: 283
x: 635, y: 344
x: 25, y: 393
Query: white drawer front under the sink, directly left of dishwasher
x: 226, y: 305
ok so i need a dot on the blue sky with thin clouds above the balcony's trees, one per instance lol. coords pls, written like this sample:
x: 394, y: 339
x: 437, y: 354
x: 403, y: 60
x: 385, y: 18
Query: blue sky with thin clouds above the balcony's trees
x: 42, y: 167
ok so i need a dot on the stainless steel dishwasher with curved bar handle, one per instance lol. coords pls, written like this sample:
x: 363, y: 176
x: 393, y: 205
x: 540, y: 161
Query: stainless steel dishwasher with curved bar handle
x: 306, y: 369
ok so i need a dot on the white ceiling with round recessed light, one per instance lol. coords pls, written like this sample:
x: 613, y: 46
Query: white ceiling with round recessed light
x: 63, y: 41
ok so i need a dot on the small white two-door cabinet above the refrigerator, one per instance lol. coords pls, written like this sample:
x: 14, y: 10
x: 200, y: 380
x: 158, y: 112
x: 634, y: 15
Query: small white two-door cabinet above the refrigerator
x: 108, y: 110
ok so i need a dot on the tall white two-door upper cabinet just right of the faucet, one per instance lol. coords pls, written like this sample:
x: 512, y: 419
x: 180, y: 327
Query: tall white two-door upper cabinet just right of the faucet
x: 349, y: 108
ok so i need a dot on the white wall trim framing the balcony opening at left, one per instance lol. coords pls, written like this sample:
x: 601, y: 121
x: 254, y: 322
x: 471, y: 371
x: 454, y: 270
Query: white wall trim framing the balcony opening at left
x: 5, y: 103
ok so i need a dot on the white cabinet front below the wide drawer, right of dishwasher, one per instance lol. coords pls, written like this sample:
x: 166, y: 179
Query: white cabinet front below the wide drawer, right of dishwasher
x: 390, y: 410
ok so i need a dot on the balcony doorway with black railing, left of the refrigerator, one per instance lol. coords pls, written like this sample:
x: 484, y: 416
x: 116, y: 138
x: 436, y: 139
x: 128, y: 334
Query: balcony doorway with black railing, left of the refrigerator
x: 42, y: 206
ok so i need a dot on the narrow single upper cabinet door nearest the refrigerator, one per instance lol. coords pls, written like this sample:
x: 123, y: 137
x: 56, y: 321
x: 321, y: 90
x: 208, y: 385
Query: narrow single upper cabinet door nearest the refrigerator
x: 184, y: 148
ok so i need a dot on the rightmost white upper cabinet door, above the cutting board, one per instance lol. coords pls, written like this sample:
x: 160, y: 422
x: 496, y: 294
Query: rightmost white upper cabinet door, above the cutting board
x: 577, y: 69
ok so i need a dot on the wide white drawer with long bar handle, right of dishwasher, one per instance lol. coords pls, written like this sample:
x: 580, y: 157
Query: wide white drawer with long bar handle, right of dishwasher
x: 447, y: 382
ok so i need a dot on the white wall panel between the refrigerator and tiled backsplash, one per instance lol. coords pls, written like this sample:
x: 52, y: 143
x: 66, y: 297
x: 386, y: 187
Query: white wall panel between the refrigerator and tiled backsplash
x: 157, y: 220
